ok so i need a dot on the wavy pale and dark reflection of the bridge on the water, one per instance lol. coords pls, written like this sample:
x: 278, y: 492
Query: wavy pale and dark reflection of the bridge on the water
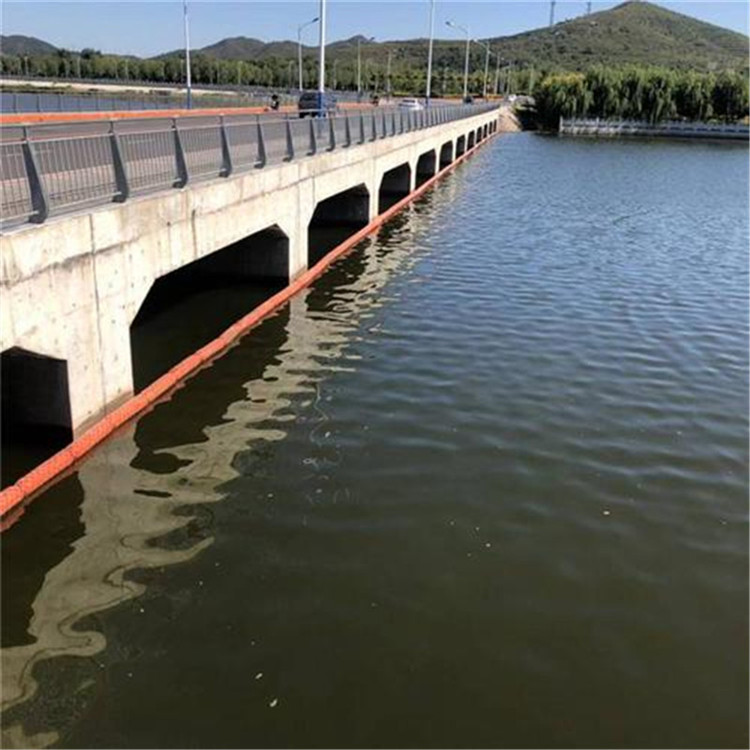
x: 144, y: 491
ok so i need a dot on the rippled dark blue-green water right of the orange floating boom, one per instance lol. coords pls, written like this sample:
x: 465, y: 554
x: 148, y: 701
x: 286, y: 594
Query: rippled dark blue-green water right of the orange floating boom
x: 485, y: 484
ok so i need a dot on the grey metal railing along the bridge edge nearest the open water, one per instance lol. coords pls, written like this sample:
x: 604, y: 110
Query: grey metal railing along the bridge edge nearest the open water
x: 47, y: 170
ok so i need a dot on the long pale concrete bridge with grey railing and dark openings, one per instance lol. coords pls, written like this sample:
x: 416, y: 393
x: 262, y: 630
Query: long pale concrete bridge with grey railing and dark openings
x: 100, y: 232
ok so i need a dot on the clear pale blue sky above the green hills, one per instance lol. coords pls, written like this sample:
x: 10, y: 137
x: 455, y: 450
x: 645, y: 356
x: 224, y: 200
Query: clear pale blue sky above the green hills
x: 147, y: 28
